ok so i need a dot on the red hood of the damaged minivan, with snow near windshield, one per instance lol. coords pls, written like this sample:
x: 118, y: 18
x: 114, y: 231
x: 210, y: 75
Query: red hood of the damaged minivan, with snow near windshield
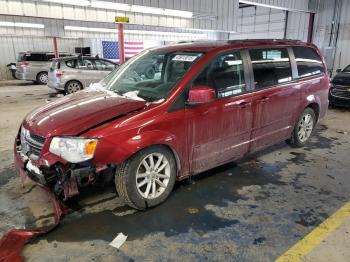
x: 78, y: 112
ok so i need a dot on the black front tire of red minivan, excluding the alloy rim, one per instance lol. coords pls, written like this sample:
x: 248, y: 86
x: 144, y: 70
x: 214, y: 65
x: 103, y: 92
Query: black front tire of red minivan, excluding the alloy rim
x: 125, y: 178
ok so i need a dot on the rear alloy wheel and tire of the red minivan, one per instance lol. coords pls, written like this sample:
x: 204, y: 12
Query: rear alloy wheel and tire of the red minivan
x: 303, y: 128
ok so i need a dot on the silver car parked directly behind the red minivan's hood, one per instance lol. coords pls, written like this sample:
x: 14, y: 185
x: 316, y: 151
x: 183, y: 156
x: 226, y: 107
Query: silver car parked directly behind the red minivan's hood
x: 71, y: 74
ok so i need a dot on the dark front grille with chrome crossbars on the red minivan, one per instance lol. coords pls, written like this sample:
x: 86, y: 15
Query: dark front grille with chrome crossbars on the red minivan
x: 32, y: 144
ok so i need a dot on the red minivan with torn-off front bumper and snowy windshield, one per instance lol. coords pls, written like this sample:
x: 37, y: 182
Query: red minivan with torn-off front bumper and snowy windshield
x: 208, y: 103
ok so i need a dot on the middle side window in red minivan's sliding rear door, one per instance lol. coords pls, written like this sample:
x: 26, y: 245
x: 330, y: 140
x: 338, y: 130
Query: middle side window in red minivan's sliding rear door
x: 270, y: 66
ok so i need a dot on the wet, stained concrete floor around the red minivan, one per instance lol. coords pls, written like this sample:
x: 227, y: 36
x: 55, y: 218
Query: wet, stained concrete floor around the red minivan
x: 252, y: 210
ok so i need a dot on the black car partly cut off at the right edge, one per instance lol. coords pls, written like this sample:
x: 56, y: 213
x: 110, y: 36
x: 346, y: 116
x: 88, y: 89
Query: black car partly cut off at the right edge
x: 339, y: 93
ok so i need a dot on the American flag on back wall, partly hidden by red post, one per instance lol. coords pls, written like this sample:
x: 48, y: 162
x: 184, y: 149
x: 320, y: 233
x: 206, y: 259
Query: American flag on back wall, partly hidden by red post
x: 111, y: 49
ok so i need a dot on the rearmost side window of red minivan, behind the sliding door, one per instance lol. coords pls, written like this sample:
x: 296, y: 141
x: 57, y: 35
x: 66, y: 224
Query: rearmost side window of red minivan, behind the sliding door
x: 308, y: 61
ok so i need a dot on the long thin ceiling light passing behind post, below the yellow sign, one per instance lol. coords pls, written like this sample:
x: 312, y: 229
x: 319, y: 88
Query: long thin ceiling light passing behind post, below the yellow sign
x: 139, y: 32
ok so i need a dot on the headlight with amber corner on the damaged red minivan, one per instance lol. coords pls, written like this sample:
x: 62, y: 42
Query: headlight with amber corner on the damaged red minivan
x: 72, y: 149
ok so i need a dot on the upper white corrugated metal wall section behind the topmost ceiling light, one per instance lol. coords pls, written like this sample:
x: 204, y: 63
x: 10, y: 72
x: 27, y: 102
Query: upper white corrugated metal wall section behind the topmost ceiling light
x: 215, y: 15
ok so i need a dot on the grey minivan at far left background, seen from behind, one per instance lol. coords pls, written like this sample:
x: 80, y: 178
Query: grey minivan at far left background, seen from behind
x: 34, y: 66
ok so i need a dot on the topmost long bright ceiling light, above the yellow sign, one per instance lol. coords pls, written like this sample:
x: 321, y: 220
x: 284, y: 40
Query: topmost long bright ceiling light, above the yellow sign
x: 125, y: 7
